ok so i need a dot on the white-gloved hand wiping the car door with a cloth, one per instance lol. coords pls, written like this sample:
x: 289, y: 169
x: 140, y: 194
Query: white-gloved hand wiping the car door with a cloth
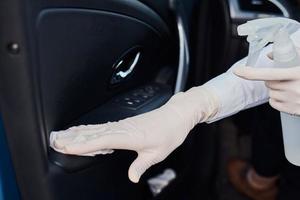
x: 153, y: 135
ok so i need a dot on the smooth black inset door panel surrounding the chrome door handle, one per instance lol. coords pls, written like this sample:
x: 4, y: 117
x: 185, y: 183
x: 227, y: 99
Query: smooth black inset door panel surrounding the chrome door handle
x: 77, y: 58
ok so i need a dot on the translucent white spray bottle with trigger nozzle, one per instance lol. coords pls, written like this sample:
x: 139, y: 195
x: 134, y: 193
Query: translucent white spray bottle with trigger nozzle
x: 260, y: 33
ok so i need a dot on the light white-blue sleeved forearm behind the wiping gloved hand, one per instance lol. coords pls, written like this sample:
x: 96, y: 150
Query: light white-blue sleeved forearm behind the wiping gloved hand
x: 235, y: 94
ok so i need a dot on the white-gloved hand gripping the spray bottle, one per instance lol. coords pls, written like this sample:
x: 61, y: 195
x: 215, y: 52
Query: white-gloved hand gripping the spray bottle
x: 283, y: 85
